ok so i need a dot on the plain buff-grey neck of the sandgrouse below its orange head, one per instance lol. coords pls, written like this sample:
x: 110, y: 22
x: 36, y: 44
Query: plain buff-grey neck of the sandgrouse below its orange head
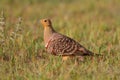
x: 48, y: 32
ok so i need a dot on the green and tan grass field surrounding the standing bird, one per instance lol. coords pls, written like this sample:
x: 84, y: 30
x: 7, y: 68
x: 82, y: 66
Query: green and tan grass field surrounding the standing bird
x: 95, y: 24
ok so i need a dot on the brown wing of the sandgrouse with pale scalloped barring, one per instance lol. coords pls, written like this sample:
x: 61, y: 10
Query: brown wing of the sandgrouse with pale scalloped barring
x: 63, y: 45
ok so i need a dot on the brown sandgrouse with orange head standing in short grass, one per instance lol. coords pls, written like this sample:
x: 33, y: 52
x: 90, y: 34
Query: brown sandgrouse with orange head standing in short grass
x: 58, y: 44
